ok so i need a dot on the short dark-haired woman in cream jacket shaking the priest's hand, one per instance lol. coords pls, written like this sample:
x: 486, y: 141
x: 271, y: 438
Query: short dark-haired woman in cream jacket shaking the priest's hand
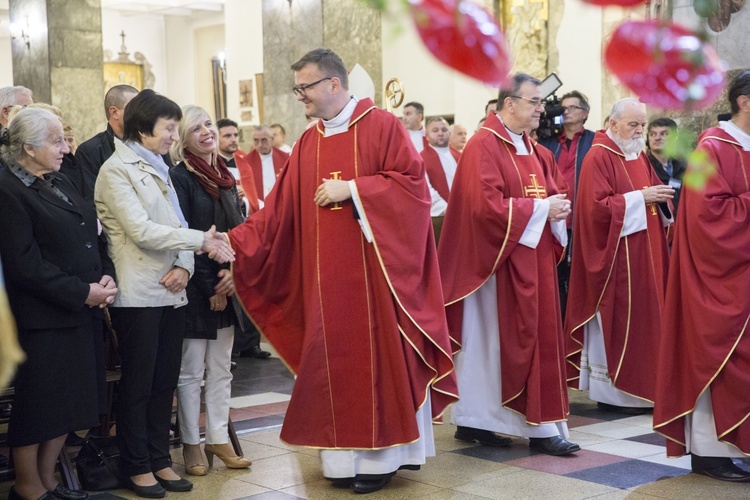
x: 152, y: 249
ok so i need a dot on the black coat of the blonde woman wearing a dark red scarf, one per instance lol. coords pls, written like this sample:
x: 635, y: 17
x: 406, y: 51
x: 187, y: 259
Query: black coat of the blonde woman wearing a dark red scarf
x: 200, y: 211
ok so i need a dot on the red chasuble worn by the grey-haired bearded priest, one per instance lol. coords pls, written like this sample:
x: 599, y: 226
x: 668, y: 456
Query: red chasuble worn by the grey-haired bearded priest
x: 623, y: 278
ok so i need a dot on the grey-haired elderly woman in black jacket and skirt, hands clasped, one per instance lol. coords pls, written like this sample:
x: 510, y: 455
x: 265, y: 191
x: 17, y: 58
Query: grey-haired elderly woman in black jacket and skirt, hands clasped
x: 57, y: 275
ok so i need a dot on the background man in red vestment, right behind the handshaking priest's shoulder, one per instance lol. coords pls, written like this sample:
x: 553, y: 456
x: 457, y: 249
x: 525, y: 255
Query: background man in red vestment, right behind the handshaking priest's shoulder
x: 440, y: 164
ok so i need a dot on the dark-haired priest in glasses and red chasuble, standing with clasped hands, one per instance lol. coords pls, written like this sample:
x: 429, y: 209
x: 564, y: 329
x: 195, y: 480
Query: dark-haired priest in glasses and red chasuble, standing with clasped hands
x: 503, y: 235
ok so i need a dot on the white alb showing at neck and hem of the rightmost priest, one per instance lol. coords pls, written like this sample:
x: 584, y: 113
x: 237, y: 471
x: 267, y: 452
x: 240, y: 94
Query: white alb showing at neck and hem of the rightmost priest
x: 700, y: 427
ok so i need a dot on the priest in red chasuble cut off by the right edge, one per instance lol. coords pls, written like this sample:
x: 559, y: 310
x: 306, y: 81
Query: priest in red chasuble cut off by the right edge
x: 703, y: 376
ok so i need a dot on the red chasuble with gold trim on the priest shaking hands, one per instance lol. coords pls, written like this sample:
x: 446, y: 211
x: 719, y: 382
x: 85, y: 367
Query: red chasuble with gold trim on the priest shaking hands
x: 361, y: 324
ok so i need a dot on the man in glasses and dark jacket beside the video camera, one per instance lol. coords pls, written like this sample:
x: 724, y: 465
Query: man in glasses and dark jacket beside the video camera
x: 569, y: 148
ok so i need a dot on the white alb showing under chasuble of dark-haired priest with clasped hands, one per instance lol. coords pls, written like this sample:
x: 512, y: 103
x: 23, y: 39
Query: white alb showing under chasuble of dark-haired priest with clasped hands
x: 478, y: 364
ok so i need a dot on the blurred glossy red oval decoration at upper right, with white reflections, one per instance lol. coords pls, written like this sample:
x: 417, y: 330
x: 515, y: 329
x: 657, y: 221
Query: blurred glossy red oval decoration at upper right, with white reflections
x: 665, y: 64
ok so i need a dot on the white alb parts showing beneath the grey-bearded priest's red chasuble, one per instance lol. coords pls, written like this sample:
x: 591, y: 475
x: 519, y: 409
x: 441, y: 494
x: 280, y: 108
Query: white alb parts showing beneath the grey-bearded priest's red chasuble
x: 594, y: 376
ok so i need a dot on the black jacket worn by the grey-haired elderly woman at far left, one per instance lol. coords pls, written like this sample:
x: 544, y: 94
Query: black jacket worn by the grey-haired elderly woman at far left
x: 51, y: 251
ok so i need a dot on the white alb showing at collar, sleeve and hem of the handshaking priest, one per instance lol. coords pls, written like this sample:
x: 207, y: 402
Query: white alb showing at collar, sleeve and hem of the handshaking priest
x: 349, y: 463
